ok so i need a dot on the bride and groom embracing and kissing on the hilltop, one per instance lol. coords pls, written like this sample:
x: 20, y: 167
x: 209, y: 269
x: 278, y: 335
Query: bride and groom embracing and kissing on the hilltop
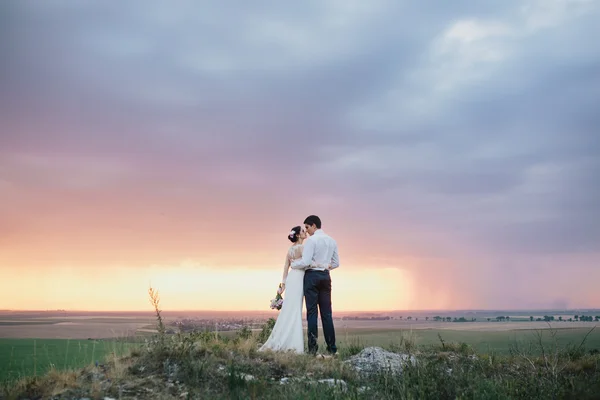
x: 306, y: 272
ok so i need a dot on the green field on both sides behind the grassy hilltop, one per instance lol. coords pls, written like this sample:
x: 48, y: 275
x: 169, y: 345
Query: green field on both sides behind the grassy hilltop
x: 26, y: 357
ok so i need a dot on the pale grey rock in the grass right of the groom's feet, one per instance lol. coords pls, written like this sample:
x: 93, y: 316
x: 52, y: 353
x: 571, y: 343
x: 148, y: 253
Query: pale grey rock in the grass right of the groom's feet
x: 375, y: 360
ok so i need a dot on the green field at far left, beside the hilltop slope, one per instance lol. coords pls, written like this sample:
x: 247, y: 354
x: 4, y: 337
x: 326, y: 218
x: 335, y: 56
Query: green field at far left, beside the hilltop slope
x: 30, y: 357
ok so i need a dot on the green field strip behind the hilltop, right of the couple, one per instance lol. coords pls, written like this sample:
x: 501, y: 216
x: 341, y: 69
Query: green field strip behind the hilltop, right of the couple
x: 497, y: 342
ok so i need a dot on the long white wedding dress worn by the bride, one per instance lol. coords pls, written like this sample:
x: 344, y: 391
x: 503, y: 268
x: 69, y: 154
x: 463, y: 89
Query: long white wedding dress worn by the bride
x: 287, y: 333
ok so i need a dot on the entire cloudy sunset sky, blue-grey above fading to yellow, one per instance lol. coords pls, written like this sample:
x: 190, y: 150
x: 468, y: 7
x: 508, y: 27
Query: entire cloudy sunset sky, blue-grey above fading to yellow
x: 452, y: 149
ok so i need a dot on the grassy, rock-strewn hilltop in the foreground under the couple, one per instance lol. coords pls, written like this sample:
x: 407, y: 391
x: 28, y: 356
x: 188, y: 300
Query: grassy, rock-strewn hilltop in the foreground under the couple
x: 208, y: 365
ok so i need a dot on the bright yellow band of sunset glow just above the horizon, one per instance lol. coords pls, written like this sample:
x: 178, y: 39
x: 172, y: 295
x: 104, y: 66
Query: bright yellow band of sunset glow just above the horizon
x: 192, y: 287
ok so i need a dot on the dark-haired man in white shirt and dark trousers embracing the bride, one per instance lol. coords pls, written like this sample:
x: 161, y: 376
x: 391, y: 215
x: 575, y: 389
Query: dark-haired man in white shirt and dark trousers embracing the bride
x: 319, y: 253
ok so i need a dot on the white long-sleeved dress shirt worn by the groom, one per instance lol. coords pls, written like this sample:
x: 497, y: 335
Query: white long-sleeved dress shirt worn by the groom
x: 319, y: 251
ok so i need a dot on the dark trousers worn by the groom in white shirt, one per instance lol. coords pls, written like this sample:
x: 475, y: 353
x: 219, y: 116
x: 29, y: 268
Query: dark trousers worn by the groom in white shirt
x: 317, y: 293
